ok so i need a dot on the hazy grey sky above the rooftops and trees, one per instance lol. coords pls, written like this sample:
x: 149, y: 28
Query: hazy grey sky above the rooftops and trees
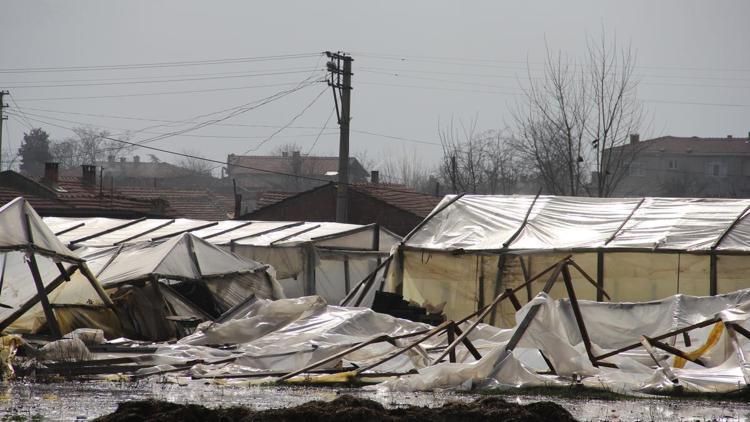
x: 457, y: 60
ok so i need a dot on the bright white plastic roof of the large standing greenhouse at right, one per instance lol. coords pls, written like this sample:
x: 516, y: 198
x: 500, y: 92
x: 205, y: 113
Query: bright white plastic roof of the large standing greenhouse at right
x: 479, y: 222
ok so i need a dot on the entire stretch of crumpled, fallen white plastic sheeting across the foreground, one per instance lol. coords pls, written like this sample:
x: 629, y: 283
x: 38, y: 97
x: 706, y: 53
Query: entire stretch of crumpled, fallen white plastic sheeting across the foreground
x: 287, y: 335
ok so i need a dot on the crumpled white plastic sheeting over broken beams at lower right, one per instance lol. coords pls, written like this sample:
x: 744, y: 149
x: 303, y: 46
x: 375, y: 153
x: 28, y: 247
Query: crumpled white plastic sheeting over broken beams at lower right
x: 610, y: 326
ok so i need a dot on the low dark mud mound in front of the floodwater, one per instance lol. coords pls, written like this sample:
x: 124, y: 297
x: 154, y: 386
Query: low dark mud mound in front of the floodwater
x: 344, y: 408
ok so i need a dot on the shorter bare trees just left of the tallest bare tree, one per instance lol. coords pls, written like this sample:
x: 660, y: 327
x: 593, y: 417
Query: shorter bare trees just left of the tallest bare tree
x: 478, y: 162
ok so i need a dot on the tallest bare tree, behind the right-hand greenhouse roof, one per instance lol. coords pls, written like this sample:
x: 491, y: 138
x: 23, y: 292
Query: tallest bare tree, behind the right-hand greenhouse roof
x: 574, y: 125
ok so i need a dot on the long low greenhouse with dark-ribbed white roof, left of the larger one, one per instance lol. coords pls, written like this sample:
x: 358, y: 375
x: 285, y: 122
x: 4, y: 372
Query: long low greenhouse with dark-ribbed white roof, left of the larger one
x: 309, y: 257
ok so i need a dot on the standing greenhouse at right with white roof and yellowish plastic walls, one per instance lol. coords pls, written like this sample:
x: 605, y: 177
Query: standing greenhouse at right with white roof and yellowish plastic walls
x: 472, y: 247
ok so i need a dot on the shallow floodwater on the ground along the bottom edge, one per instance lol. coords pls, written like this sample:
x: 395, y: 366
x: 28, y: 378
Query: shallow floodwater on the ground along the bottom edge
x: 87, y: 400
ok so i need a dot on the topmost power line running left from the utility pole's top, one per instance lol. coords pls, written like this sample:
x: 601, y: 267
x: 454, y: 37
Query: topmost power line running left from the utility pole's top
x: 159, y: 64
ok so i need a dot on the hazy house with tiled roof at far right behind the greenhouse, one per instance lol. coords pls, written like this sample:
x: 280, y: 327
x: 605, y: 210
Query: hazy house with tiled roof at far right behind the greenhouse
x: 687, y: 167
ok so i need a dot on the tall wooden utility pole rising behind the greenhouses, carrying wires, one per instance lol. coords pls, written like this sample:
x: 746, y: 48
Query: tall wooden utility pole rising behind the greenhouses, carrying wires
x: 340, y: 67
